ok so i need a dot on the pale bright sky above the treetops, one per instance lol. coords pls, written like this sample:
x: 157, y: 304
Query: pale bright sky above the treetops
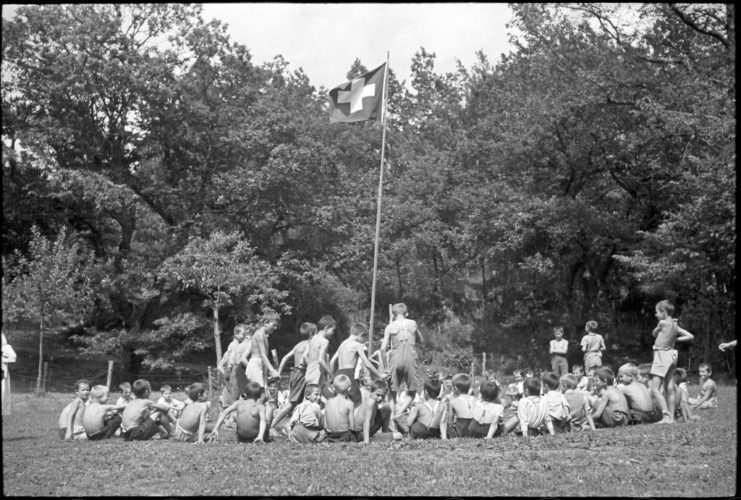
x: 325, y: 38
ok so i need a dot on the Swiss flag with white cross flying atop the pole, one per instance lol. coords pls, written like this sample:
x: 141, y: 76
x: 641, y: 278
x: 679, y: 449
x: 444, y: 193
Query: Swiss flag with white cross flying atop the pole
x: 359, y: 99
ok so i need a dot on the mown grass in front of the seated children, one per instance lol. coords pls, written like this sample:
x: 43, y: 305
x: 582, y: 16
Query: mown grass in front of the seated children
x: 696, y: 459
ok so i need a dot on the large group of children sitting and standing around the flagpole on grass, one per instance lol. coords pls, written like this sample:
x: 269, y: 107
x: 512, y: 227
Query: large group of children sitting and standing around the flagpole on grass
x: 354, y: 402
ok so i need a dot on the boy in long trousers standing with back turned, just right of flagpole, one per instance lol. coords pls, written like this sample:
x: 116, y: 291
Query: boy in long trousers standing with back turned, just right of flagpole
x: 401, y: 336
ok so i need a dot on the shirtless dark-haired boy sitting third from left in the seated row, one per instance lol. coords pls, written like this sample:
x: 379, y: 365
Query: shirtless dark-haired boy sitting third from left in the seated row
x: 143, y: 418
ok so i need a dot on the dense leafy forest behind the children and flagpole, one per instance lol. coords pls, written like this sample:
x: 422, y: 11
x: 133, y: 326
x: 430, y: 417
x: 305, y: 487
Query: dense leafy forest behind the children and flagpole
x: 159, y: 187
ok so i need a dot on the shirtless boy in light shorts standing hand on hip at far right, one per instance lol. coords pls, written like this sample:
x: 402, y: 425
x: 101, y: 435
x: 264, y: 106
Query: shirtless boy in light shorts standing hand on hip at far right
x: 666, y: 333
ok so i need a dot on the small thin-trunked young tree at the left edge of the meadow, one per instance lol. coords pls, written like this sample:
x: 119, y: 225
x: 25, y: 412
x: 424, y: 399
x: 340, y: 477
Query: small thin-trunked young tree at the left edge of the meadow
x: 49, y: 287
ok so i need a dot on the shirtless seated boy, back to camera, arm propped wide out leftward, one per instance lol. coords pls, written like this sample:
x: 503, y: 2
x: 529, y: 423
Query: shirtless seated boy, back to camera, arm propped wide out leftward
x: 250, y: 421
